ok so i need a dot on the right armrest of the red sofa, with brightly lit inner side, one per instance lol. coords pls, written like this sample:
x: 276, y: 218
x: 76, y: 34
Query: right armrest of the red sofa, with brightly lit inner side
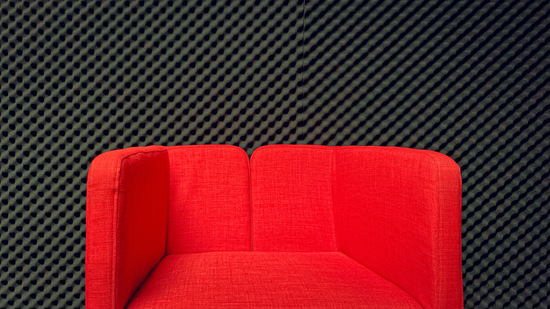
x: 398, y: 213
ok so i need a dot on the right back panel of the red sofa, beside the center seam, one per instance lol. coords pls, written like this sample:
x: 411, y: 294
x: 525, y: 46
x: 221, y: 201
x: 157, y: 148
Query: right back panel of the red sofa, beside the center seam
x: 292, y: 198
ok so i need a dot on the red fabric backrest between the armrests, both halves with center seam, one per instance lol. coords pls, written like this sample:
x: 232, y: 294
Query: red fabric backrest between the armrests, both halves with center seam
x: 212, y: 186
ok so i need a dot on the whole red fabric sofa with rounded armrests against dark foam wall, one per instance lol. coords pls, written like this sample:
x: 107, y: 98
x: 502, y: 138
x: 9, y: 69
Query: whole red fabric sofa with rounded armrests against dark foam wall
x: 295, y: 226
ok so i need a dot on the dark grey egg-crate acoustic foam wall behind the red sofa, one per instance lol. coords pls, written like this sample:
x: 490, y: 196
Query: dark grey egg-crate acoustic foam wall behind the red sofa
x: 467, y: 78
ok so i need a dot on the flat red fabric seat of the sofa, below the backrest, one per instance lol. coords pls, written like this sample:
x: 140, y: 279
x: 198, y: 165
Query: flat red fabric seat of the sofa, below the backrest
x: 267, y: 280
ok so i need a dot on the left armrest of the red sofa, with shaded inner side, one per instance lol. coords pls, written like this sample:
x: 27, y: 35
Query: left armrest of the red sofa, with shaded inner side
x: 126, y: 214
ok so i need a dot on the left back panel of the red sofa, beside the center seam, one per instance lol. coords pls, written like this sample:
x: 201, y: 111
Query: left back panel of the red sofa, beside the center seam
x: 209, y: 199
